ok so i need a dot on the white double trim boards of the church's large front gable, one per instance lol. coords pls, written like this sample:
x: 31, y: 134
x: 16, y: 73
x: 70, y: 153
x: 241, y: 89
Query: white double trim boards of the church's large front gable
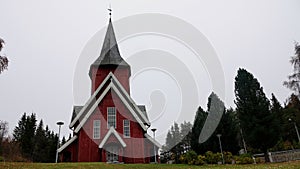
x: 112, y: 84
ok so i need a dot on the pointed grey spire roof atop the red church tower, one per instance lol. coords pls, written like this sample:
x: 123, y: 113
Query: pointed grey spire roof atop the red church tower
x: 110, y: 54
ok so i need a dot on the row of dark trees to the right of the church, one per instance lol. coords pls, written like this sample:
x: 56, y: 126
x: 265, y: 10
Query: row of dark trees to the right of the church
x: 257, y: 124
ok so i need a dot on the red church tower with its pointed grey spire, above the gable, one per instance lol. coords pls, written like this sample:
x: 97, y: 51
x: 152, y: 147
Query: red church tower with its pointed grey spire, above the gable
x: 110, y: 60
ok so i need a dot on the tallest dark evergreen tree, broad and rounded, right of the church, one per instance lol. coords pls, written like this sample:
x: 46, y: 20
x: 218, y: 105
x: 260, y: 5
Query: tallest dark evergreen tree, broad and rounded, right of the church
x: 258, y: 124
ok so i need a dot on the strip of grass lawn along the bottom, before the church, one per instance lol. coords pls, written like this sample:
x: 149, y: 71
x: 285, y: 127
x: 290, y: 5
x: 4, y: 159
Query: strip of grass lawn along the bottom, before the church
x: 287, y: 165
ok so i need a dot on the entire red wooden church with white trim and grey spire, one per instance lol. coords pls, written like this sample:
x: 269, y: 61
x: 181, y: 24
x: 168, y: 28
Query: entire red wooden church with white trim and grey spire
x: 110, y: 127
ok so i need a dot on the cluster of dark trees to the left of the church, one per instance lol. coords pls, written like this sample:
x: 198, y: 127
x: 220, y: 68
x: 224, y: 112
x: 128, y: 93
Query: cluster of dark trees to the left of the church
x: 31, y: 142
